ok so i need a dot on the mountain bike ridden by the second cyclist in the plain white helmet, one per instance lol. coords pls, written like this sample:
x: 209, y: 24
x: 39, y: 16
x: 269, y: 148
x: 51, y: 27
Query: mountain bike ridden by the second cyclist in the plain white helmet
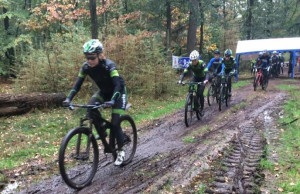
x: 190, y: 103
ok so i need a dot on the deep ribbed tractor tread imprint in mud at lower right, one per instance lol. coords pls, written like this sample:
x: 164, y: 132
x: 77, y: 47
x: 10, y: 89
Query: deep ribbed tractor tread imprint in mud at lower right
x: 239, y: 171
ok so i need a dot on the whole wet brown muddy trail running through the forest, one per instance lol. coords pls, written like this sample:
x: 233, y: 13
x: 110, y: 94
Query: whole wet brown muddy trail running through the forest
x: 225, y: 151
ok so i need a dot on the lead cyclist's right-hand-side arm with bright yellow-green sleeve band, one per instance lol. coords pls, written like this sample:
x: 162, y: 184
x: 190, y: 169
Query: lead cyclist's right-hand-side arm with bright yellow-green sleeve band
x: 114, y: 74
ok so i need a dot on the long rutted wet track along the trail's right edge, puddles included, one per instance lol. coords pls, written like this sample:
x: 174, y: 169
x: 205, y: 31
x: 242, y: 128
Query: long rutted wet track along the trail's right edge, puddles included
x: 238, y: 171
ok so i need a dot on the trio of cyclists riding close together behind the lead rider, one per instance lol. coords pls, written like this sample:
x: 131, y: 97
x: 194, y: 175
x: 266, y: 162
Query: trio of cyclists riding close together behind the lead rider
x: 216, y: 68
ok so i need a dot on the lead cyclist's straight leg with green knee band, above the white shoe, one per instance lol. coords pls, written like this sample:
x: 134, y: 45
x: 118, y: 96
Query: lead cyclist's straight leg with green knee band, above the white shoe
x: 117, y: 111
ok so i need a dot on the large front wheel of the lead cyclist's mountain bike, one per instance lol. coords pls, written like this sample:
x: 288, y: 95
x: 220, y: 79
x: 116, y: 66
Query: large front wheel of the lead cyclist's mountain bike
x: 78, y: 158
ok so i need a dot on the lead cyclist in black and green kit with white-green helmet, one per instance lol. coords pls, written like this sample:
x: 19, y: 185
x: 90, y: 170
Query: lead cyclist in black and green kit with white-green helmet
x: 112, y: 90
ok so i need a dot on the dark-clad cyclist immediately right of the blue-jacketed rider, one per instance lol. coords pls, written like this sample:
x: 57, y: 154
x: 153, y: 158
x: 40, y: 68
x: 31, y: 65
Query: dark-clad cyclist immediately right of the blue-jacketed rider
x: 228, y: 67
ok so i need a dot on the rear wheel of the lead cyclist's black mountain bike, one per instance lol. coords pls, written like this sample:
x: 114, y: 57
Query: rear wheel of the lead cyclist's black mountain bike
x: 130, y: 138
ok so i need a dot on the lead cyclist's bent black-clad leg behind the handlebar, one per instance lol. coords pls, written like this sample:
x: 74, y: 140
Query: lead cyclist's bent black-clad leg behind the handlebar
x: 95, y: 114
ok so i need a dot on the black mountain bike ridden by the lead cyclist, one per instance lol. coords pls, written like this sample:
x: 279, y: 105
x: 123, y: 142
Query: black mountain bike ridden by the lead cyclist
x: 79, y: 150
